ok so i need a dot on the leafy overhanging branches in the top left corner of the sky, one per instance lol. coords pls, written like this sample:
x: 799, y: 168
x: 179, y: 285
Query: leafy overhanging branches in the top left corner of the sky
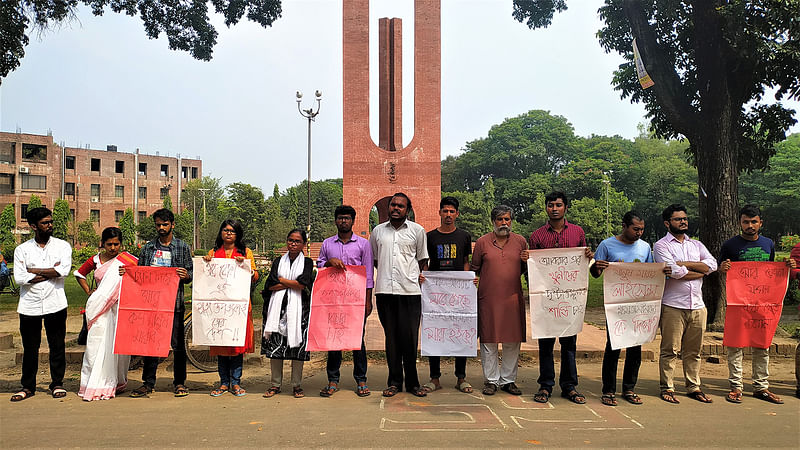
x: 186, y: 24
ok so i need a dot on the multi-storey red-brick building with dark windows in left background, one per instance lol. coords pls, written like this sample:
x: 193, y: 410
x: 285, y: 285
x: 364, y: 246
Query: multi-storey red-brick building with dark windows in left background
x: 98, y: 184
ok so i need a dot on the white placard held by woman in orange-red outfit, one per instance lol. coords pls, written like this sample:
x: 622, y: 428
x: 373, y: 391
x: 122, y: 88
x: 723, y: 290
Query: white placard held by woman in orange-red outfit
x: 220, y: 301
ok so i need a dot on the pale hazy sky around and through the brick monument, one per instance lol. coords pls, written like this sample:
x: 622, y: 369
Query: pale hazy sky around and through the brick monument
x: 98, y: 81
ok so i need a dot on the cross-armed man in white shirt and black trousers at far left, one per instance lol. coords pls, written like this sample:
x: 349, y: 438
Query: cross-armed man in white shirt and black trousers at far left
x: 40, y: 265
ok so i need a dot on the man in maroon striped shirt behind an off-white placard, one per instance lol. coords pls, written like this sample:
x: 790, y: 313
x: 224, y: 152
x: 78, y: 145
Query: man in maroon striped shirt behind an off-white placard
x: 558, y: 233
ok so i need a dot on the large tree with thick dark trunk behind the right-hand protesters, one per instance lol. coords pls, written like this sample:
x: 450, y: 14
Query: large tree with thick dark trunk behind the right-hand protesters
x: 711, y: 63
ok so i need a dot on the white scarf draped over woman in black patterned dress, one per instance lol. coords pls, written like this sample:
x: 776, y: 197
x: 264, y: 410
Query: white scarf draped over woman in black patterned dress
x: 294, y: 307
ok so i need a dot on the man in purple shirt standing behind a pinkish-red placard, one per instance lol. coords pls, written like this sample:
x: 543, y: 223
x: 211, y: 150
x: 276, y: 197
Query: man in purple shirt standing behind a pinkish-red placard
x: 340, y: 250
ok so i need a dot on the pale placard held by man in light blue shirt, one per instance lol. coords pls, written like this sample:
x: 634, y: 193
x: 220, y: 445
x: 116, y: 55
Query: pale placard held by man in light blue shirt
x: 632, y: 297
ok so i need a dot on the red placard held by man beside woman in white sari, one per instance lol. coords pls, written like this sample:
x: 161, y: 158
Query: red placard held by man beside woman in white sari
x: 146, y: 310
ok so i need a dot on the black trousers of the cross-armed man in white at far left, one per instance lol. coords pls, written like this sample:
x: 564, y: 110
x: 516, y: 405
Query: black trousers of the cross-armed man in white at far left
x: 30, y: 329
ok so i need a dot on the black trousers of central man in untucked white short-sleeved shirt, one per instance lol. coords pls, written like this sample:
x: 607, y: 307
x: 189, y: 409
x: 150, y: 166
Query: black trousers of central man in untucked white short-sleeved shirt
x: 400, y: 316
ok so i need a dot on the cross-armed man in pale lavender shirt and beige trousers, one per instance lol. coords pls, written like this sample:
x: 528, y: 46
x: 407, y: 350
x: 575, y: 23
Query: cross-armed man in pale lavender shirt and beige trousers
x: 683, y: 313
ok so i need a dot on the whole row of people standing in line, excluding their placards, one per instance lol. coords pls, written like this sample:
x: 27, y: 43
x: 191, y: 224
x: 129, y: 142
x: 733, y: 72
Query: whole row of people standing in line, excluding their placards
x: 395, y: 256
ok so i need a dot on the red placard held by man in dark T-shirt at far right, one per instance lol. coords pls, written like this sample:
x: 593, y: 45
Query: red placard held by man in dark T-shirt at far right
x: 755, y: 292
